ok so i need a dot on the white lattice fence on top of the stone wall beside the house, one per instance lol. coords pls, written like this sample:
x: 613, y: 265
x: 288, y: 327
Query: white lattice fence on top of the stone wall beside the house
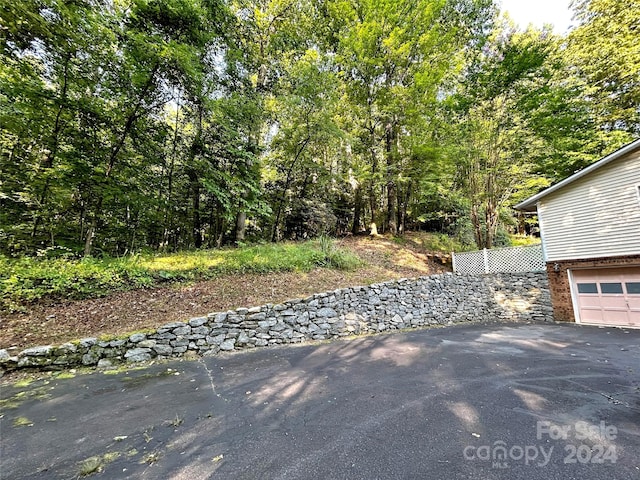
x: 500, y: 260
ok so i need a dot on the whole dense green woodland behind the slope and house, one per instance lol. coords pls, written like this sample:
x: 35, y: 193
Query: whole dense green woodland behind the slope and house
x: 171, y: 124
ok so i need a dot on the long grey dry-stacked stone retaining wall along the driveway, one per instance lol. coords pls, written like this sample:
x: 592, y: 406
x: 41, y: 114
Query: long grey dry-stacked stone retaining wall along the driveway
x: 434, y: 300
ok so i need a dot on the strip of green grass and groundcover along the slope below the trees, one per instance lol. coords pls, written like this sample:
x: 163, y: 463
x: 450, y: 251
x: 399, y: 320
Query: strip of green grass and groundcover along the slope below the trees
x: 28, y: 279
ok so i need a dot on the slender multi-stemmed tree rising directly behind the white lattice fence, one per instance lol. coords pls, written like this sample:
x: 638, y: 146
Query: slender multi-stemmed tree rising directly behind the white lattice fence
x: 497, y: 143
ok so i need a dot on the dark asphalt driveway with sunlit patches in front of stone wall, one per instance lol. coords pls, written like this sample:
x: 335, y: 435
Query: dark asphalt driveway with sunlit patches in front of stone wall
x: 499, y: 401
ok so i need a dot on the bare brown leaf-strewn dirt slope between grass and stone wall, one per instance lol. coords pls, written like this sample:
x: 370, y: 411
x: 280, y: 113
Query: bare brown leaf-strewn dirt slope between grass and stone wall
x: 122, y: 312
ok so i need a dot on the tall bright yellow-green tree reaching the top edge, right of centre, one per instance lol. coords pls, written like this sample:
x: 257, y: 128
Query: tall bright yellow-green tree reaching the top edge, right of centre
x: 393, y: 57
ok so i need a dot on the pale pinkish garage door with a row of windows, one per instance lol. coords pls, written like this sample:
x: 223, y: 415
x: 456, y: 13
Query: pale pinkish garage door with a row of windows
x: 608, y: 296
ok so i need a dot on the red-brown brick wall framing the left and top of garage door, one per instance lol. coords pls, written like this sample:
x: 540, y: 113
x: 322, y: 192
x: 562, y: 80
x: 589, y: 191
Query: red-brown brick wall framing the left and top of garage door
x: 559, y: 281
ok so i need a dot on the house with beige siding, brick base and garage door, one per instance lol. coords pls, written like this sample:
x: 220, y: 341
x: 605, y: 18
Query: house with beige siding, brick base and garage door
x: 590, y: 230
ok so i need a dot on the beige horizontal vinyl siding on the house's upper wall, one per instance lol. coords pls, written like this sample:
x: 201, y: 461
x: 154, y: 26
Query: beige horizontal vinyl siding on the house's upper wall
x: 596, y: 216
